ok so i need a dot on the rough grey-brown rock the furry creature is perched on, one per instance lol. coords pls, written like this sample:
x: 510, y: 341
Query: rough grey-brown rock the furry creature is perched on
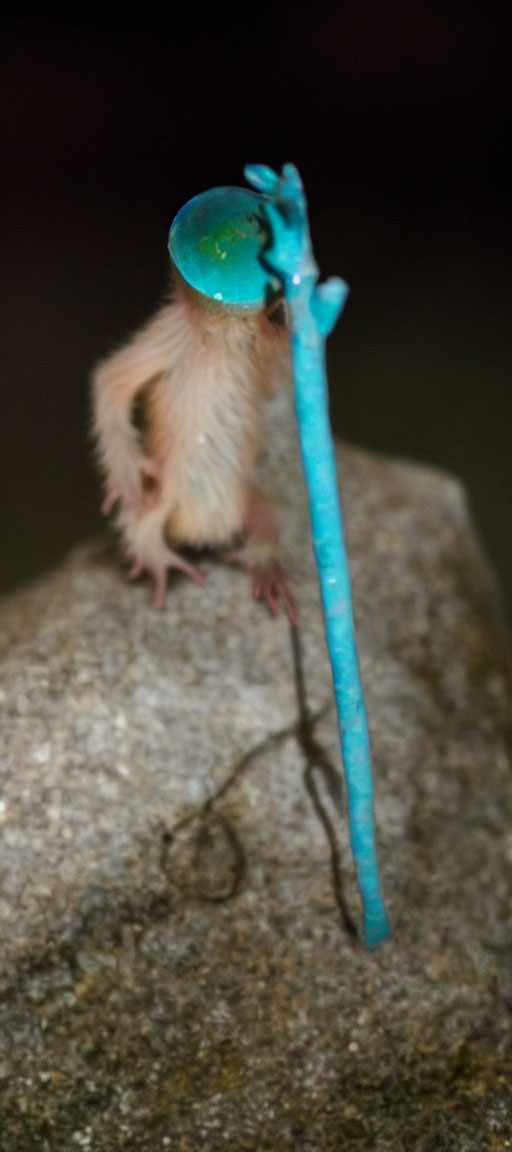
x: 177, y: 971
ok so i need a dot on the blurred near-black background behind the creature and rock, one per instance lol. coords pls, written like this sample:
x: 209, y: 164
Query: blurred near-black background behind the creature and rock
x: 397, y: 116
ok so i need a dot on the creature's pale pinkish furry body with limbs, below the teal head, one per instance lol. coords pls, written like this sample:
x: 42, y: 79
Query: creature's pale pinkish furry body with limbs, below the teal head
x: 189, y: 480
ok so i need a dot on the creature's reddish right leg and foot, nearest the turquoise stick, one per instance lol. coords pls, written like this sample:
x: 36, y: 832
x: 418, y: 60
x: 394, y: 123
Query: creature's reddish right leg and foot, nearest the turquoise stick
x: 260, y: 555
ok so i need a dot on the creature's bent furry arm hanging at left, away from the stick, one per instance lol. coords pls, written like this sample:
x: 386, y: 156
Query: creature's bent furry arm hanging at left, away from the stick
x: 117, y: 383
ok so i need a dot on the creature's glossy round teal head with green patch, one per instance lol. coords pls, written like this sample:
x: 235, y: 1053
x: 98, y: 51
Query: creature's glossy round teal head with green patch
x: 219, y: 242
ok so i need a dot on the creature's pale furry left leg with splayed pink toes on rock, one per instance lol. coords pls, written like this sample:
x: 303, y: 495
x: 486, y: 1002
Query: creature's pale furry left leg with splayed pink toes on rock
x: 147, y: 550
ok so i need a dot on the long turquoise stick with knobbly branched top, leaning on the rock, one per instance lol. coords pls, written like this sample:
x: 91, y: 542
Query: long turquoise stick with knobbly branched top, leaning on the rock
x: 315, y: 309
